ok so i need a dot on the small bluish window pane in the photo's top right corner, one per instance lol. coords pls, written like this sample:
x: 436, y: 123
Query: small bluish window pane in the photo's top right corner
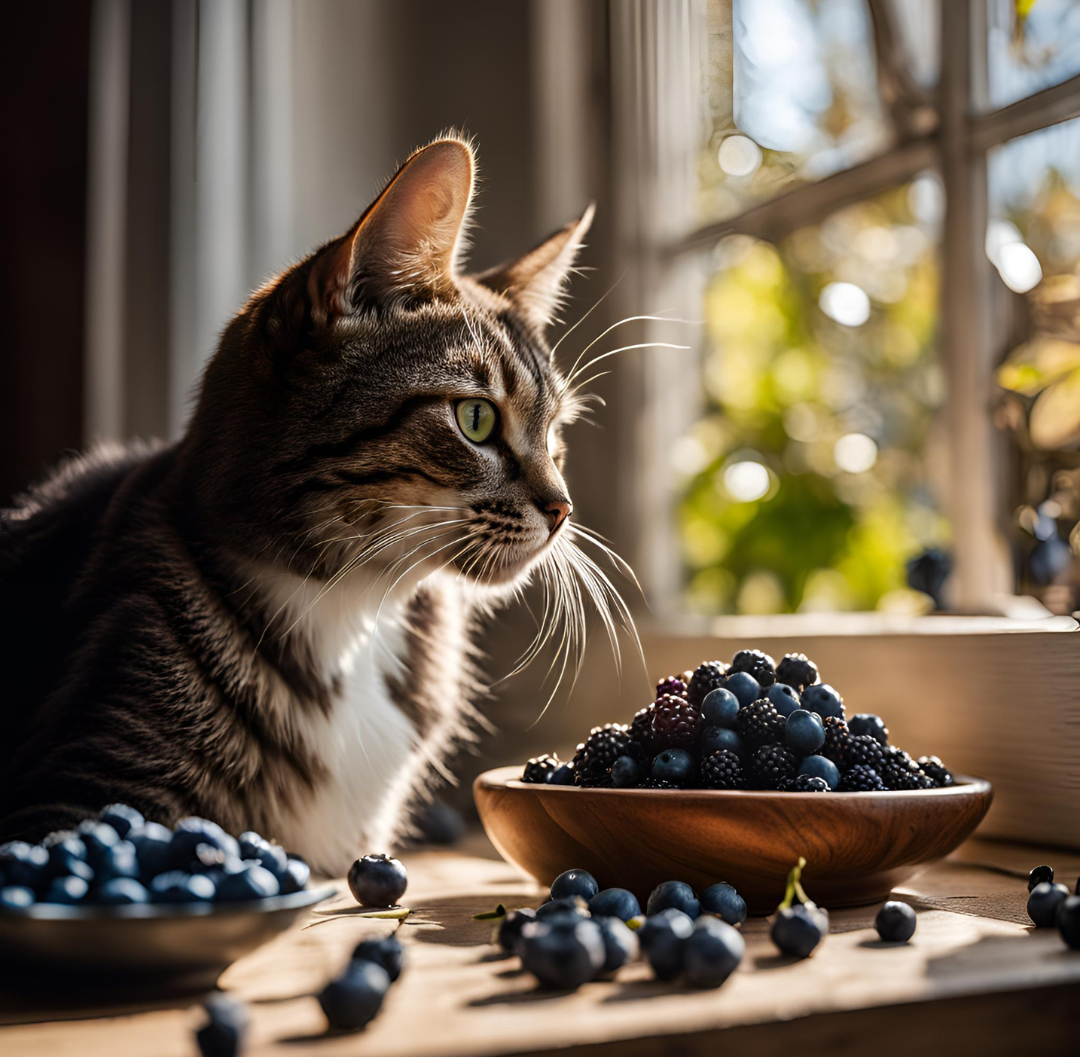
x: 1031, y: 51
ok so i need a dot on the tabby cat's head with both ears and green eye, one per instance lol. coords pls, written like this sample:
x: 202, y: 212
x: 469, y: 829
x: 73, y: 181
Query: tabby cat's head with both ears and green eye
x: 374, y: 404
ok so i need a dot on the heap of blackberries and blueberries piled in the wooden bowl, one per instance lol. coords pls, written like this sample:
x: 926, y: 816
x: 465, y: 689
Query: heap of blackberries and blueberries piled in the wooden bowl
x: 752, y: 724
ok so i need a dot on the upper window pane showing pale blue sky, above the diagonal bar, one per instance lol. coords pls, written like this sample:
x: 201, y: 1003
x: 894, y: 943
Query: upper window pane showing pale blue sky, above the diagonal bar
x: 793, y: 98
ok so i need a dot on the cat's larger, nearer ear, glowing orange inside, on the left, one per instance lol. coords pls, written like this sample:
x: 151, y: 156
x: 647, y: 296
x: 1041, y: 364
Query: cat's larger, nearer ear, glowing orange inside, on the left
x: 406, y: 248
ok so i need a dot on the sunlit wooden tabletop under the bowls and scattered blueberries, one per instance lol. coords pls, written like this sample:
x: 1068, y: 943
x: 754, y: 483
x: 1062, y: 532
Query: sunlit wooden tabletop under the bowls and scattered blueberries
x: 977, y: 979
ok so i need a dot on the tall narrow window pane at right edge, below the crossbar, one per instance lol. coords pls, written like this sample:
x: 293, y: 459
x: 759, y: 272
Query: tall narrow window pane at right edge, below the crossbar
x: 1034, y: 241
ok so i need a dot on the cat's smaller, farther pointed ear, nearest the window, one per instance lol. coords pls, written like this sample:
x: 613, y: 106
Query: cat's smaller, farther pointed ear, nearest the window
x: 535, y: 283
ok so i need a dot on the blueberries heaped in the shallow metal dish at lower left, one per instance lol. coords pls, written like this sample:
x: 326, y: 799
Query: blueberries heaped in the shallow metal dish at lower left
x: 120, y: 859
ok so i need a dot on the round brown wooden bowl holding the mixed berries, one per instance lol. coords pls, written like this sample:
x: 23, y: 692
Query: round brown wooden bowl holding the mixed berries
x: 858, y: 846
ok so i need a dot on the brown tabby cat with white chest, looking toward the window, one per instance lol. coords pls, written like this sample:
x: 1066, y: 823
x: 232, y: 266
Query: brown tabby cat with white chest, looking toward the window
x: 269, y: 624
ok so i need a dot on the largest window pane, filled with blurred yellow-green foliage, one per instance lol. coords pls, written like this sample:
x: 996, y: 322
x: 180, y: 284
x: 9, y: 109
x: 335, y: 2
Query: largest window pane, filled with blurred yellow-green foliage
x: 808, y: 482
